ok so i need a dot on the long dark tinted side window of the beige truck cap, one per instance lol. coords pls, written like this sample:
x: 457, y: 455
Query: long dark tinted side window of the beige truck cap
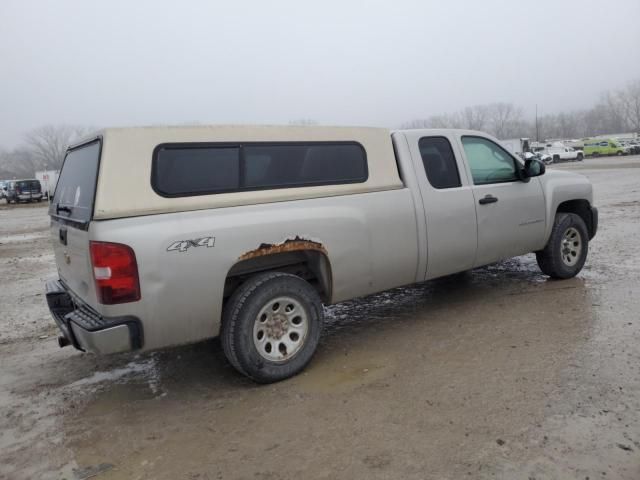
x: 198, y: 169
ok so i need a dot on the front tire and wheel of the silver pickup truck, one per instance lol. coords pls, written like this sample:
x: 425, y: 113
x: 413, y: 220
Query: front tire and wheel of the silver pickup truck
x: 566, y: 251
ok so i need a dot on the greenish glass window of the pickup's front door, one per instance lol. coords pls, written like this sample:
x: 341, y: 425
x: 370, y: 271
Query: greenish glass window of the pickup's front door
x: 489, y: 163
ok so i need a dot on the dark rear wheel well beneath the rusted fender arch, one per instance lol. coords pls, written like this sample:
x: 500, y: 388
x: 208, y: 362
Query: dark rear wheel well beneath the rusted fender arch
x: 310, y: 265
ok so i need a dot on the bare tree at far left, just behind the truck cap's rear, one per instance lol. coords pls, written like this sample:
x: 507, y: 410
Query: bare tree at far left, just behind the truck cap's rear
x: 49, y: 143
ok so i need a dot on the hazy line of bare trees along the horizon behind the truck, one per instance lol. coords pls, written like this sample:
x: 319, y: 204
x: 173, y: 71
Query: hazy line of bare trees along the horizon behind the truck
x: 617, y: 111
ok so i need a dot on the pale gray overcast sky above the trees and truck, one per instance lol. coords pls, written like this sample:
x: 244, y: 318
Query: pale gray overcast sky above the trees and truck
x: 339, y: 62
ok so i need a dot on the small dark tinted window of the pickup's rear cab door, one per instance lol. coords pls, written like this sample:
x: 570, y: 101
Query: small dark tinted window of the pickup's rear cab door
x: 439, y: 162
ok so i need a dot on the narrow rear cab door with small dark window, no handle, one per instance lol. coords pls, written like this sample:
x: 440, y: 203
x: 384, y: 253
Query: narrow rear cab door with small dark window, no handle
x: 448, y: 202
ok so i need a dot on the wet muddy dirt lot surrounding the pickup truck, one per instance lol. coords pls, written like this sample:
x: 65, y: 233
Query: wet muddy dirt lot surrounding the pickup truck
x: 496, y: 373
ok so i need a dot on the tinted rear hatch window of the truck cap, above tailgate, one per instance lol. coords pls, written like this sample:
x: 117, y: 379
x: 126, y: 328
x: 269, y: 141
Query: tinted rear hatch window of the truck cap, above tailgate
x: 76, y: 186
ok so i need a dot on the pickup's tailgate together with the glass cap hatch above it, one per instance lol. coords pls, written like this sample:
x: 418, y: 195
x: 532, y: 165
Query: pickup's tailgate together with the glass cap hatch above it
x: 71, y: 211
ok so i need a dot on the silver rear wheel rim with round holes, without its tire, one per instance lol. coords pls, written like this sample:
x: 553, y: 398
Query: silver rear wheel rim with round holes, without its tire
x: 280, y: 329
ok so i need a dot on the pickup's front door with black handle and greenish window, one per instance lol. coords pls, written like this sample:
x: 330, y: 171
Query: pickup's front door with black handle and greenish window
x: 510, y: 212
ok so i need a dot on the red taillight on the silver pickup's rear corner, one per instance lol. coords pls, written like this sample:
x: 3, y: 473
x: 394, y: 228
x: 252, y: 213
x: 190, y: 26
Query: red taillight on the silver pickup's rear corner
x: 116, y: 273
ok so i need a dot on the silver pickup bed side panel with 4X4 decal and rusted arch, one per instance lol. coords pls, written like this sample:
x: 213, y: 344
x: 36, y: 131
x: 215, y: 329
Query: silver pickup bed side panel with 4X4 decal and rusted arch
x: 370, y: 239
